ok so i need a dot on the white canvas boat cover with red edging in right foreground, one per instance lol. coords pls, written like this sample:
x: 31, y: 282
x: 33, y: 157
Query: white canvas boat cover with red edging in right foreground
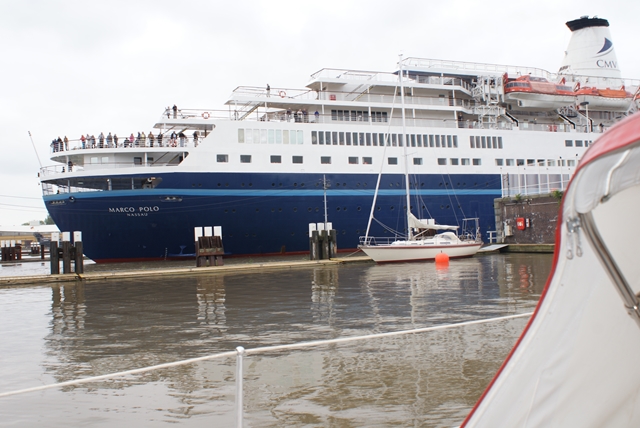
x: 577, y: 363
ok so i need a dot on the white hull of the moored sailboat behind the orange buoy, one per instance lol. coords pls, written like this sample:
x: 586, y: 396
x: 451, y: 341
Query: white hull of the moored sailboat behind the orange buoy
x: 413, y: 251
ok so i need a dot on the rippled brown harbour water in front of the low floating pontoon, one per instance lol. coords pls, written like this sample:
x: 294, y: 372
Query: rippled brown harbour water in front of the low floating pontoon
x: 59, y: 332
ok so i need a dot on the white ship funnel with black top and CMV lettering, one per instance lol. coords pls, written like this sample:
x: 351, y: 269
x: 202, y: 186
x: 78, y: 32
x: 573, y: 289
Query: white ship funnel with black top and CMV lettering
x: 590, y: 51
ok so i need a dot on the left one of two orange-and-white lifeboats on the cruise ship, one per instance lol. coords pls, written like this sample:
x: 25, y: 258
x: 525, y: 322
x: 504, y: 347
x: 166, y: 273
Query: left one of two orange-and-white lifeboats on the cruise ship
x: 537, y: 92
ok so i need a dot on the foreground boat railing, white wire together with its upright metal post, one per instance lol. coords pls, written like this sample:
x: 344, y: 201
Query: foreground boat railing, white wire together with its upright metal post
x: 240, y: 352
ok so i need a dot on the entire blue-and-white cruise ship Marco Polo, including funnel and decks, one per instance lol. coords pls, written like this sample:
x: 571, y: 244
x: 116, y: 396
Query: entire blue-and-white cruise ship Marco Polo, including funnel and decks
x: 274, y: 160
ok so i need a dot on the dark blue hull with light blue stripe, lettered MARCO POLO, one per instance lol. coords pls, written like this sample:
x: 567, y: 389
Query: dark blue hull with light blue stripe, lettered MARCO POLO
x: 260, y: 213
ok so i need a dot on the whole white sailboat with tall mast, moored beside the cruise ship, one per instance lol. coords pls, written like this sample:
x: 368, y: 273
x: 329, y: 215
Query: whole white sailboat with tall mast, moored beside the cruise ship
x: 425, y: 239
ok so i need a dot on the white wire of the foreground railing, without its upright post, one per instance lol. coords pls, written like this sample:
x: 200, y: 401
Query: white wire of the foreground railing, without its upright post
x: 260, y: 350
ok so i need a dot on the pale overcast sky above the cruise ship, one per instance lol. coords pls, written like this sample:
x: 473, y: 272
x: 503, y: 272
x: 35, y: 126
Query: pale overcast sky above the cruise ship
x: 72, y: 67
